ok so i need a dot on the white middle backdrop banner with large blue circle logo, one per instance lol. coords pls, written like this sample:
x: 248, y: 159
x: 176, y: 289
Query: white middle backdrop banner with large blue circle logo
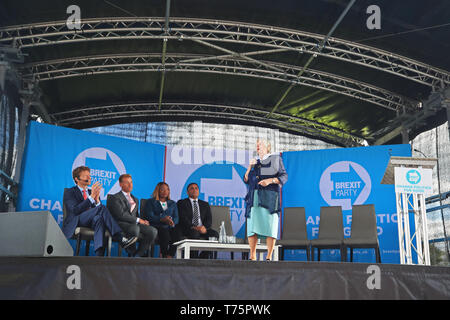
x: 218, y: 173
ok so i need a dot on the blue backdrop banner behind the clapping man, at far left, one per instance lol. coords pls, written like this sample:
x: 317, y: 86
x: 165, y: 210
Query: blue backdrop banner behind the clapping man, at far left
x: 53, y: 152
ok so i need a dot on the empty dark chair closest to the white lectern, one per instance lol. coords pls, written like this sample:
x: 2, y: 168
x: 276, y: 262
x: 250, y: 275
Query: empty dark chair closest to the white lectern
x: 364, y: 232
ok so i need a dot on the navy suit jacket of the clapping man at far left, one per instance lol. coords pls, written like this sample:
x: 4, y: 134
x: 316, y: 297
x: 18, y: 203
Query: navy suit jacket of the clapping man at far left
x: 74, y: 205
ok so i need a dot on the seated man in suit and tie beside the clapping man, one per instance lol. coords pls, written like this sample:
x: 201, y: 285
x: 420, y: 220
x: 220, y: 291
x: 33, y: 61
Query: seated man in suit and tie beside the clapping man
x: 124, y: 208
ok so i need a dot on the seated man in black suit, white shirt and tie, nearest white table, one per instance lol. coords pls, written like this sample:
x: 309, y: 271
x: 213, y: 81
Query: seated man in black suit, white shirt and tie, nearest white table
x: 195, y: 216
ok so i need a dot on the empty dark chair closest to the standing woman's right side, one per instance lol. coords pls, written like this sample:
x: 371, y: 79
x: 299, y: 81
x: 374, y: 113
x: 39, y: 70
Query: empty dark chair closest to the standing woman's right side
x: 294, y: 234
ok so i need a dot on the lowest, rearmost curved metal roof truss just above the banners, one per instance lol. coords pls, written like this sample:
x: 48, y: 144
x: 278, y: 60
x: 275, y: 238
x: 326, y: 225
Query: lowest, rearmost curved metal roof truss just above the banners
x: 84, y: 115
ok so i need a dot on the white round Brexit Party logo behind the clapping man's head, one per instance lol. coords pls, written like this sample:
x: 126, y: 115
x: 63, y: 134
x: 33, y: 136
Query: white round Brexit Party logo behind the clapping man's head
x: 106, y: 167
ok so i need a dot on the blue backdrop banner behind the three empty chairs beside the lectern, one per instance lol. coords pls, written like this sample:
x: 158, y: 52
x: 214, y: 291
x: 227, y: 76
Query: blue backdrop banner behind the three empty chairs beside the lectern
x: 344, y: 177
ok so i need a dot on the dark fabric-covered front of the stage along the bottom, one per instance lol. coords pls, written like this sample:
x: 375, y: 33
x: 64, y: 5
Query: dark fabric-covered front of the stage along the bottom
x: 90, y: 278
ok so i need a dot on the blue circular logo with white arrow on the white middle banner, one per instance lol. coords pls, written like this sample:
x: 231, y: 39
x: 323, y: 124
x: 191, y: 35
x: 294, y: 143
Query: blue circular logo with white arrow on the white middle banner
x: 220, y: 184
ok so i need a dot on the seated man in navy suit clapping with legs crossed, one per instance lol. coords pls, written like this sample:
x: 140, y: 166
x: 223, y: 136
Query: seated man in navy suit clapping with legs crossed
x: 84, y: 209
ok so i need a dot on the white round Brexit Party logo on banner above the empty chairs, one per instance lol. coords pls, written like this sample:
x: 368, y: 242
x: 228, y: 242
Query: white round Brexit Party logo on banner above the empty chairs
x: 345, y: 183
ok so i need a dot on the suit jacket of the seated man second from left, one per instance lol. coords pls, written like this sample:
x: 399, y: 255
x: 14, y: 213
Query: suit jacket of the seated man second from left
x: 119, y: 207
